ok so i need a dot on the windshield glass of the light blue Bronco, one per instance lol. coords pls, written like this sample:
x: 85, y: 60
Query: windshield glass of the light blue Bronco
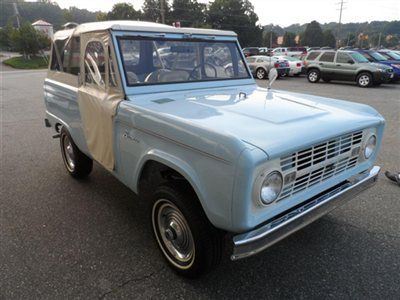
x: 158, y: 60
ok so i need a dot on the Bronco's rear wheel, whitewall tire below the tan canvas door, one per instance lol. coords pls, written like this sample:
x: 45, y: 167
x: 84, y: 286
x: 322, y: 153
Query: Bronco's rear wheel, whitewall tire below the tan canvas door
x: 77, y: 164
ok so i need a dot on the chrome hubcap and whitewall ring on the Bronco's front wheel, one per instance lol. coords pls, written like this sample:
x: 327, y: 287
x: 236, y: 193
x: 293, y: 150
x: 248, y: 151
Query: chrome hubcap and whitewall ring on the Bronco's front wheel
x: 173, y: 234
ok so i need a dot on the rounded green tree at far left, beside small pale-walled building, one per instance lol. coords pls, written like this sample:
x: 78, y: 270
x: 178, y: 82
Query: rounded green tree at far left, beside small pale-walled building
x: 28, y: 40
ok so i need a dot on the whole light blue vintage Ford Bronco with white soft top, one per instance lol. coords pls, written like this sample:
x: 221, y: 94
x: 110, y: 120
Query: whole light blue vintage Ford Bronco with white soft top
x: 175, y: 115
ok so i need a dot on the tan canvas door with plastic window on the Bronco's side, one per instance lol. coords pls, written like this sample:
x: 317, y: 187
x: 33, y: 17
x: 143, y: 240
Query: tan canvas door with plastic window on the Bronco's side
x: 99, y: 94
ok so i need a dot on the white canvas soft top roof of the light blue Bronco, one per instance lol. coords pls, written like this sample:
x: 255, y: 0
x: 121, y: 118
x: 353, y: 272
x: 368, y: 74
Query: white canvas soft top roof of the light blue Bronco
x: 138, y: 26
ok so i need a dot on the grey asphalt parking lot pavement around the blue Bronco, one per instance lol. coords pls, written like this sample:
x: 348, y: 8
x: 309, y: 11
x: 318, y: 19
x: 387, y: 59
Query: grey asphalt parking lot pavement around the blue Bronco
x: 62, y: 238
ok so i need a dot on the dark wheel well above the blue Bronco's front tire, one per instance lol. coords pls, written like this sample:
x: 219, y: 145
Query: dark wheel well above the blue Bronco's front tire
x: 155, y: 173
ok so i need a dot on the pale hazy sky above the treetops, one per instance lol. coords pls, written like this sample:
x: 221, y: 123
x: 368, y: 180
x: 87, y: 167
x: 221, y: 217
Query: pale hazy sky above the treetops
x: 288, y: 12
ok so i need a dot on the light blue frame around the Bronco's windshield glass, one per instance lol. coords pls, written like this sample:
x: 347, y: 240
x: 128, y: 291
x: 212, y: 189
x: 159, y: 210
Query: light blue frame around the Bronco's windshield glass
x: 164, y: 86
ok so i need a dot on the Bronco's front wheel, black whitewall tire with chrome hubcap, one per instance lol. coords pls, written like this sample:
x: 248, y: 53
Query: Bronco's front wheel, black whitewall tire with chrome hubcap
x: 180, y: 226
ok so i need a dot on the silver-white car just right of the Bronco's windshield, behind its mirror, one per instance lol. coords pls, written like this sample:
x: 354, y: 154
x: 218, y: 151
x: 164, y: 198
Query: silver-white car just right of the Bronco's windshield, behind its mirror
x: 261, y: 65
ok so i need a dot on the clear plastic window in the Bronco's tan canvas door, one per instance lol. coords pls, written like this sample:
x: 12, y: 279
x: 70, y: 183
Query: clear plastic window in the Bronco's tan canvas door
x: 95, y: 64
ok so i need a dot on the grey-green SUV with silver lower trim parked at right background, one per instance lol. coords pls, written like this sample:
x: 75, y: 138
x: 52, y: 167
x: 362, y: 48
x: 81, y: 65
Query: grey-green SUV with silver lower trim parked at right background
x: 347, y: 66
